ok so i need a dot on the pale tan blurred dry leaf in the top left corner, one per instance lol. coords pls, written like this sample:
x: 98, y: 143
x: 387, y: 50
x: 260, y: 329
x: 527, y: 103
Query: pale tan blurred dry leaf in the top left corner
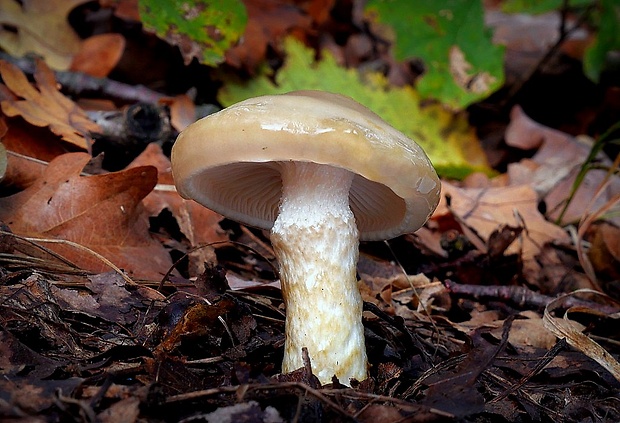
x: 40, y: 27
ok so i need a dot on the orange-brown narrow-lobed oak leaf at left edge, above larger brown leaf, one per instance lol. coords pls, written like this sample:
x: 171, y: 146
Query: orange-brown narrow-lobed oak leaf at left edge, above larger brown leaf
x: 45, y: 105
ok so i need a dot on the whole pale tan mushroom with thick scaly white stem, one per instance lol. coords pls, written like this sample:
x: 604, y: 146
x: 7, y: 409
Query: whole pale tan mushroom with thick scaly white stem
x: 322, y: 172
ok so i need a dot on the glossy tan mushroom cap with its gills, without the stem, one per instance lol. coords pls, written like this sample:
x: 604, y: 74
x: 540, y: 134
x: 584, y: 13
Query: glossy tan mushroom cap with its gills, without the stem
x: 229, y: 161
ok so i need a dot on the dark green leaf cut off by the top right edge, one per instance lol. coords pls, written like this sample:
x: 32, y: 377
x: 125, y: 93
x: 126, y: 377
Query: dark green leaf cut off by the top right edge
x: 596, y: 57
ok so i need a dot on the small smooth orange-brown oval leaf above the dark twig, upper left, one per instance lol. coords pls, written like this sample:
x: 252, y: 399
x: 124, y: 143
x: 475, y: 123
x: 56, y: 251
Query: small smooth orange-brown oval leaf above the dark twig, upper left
x: 99, y: 54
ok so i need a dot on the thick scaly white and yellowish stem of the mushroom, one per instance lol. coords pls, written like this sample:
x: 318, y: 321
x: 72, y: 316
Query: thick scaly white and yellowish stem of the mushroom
x: 316, y: 242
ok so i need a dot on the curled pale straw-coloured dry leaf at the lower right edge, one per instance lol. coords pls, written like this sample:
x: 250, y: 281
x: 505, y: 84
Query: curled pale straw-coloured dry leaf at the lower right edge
x: 573, y: 332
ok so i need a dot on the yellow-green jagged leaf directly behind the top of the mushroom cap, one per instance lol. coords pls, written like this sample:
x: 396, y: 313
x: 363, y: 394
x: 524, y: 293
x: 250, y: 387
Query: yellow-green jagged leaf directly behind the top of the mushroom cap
x: 447, y: 138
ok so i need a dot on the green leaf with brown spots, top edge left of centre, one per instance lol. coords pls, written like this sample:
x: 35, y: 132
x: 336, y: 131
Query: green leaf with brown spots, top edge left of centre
x: 204, y: 29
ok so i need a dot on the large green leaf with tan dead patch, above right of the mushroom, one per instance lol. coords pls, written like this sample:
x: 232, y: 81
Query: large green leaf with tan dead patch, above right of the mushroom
x: 461, y: 63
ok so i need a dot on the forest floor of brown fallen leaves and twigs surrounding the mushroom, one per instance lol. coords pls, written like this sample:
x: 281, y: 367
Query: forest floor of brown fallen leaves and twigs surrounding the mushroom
x: 122, y: 302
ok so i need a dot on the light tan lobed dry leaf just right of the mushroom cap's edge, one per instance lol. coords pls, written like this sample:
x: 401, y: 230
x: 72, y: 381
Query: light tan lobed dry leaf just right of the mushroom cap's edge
x: 486, y: 210
